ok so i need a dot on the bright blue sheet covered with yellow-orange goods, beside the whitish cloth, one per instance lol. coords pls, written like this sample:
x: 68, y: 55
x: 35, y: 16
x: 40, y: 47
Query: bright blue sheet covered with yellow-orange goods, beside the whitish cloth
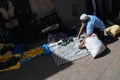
x: 33, y: 53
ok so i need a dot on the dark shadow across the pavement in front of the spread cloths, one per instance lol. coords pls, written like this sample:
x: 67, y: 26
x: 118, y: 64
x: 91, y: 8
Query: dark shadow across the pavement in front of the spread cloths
x: 37, y: 69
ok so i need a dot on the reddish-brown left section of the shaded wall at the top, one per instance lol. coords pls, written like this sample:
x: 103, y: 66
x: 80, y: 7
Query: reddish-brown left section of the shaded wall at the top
x: 41, y: 7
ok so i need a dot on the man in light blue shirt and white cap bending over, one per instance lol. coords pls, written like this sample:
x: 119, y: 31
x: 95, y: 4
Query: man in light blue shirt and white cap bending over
x: 89, y: 24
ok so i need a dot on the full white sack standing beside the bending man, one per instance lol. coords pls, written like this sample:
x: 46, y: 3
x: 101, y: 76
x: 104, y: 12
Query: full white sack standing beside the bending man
x: 94, y: 45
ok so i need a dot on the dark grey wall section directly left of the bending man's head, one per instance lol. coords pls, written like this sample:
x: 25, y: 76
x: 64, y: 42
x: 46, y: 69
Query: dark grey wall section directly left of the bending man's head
x: 70, y: 10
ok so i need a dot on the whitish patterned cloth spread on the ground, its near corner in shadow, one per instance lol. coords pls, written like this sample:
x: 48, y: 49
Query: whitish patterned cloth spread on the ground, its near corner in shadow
x: 68, y: 53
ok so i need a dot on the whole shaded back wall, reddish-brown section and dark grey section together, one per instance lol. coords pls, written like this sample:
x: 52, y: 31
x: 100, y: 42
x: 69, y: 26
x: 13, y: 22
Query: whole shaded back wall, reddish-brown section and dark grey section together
x: 69, y: 10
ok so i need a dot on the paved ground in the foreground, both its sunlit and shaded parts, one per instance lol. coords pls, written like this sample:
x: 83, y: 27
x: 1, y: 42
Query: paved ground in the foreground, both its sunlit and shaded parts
x: 104, y: 67
